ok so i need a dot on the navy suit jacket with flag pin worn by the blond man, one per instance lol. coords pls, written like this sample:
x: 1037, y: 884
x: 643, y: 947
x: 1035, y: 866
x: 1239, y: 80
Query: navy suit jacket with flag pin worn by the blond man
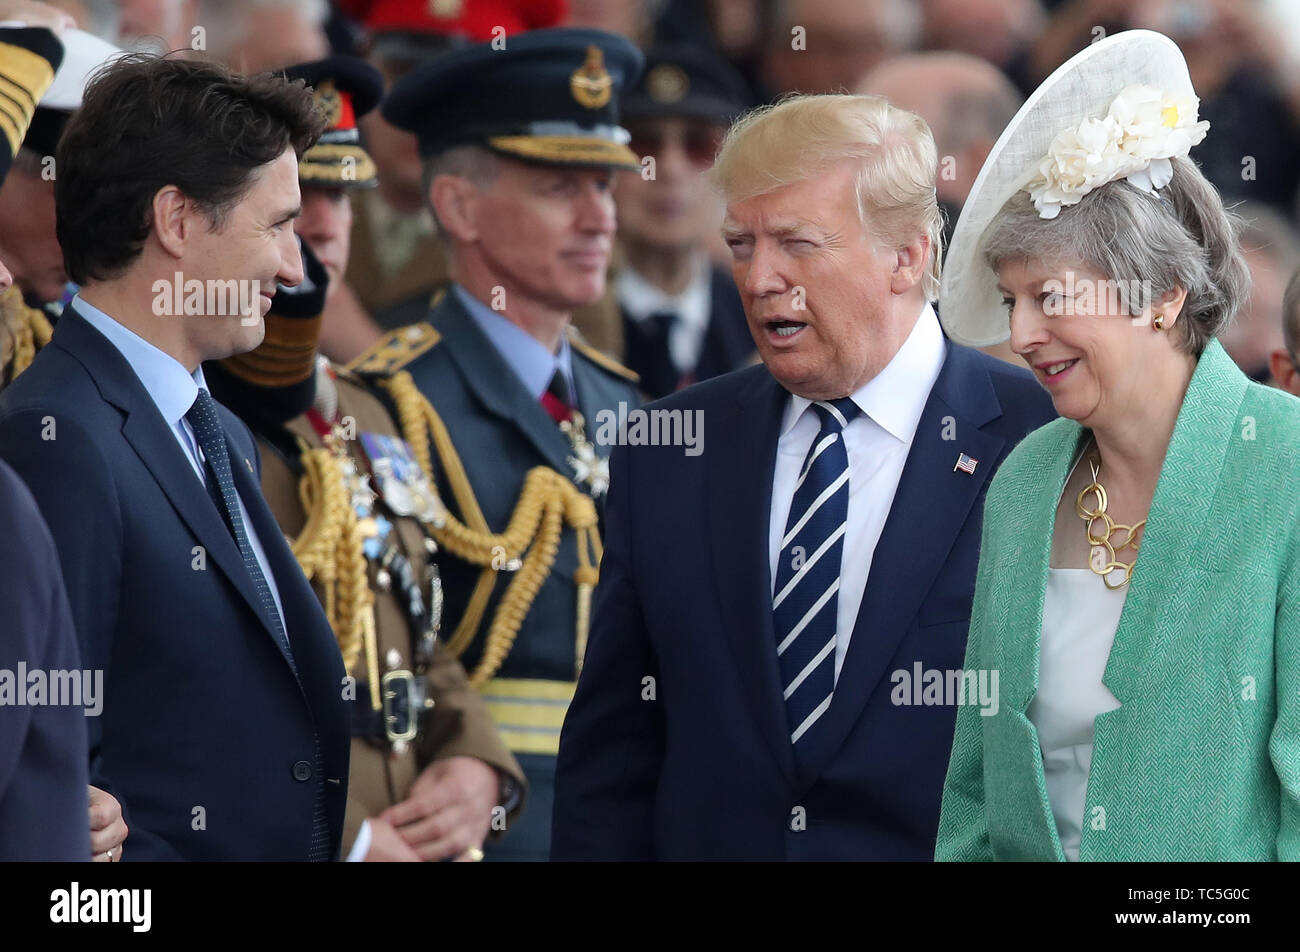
x: 677, y: 746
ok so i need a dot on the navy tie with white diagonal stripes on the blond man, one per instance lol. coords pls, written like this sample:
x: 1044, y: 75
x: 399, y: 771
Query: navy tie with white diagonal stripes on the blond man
x: 808, y: 574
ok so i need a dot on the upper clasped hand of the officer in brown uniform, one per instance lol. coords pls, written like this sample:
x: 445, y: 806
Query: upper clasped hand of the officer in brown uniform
x: 449, y: 811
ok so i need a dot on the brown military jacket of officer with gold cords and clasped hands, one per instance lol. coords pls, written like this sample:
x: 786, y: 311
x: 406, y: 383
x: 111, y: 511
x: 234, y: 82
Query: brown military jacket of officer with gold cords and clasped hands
x: 460, y: 724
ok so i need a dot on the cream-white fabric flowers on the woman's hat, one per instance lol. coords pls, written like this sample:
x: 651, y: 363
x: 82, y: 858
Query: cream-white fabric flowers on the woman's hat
x: 1142, y: 131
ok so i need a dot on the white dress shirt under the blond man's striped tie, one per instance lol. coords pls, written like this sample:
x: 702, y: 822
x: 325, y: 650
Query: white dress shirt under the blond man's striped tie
x: 878, y: 444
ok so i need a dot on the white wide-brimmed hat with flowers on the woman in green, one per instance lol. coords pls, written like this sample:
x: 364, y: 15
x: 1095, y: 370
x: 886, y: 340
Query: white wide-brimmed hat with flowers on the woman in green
x: 1121, y: 109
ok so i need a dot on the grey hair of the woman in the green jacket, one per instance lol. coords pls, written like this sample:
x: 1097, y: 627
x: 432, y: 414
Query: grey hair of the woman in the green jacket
x: 1181, y: 237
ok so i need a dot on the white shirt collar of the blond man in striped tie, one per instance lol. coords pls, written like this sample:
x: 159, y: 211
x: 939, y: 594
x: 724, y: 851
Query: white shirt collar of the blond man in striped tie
x: 896, y: 397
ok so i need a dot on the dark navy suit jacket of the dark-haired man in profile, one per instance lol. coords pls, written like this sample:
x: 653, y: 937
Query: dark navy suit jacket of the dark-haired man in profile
x: 207, y: 738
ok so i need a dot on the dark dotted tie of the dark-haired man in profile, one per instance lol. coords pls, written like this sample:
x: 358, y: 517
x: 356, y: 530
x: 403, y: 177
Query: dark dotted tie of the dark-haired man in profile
x: 222, y: 487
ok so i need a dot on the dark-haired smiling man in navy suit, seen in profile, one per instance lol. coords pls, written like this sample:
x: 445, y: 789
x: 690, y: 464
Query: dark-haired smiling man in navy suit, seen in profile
x: 224, y: 730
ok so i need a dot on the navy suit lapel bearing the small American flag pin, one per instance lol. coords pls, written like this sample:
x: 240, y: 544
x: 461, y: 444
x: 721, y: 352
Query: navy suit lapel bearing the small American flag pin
x: 930, y: 508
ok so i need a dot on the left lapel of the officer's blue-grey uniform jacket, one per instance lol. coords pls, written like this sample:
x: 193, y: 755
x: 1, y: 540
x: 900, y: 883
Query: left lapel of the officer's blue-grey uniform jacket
x: 496, y: 386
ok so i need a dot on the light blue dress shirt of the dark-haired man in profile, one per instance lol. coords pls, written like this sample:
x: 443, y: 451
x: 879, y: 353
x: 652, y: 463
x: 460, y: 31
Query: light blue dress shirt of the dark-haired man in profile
x: 174, y: 391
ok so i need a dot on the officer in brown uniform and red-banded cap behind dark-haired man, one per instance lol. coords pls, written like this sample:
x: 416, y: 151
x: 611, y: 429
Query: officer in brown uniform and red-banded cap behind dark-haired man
x: 421, y: 734
